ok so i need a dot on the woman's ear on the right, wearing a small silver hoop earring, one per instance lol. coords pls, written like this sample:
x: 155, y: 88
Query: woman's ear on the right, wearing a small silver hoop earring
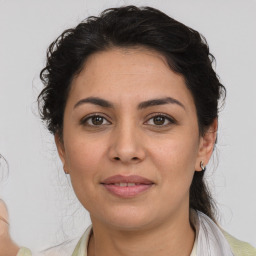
x: 206, y: 145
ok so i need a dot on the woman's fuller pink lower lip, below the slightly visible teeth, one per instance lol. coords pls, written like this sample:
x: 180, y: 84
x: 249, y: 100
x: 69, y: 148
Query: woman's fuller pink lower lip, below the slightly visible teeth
x: 127, y: 192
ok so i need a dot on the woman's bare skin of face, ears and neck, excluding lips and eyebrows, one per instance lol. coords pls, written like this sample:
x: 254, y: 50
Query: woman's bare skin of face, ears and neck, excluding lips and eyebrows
x: 129, y: 141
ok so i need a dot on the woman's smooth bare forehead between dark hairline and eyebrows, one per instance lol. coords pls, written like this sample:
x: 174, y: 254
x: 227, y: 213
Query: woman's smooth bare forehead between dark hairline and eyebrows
x: 129, y: 74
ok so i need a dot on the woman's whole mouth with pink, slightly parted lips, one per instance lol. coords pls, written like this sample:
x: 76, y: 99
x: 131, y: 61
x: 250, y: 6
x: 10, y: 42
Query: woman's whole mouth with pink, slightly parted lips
x: 127, y: 186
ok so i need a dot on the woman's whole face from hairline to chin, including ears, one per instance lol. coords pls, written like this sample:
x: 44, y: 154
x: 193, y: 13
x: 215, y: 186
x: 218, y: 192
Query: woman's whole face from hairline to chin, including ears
x: 131, y: 140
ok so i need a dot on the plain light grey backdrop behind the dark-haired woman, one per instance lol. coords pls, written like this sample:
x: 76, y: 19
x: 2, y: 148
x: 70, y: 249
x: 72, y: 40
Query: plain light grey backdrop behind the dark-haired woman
x: 43, y: 210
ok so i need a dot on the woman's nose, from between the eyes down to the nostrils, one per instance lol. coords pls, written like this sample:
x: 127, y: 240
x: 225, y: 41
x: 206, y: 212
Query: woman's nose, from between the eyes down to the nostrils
x: 126, y: 145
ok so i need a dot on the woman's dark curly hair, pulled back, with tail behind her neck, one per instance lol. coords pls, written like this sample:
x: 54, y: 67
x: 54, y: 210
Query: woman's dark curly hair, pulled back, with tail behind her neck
x: 185, y: 50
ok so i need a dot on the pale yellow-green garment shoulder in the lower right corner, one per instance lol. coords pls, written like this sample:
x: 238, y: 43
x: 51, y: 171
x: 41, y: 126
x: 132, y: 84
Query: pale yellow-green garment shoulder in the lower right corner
x: 238, y: 247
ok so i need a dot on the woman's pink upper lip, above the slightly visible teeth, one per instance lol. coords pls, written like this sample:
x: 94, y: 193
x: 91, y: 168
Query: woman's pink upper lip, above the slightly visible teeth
x: 126, y: 179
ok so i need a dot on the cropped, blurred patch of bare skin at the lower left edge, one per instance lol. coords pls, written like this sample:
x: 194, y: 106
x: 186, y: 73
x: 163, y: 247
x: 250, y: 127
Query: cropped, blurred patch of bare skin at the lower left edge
x: 7, y: 246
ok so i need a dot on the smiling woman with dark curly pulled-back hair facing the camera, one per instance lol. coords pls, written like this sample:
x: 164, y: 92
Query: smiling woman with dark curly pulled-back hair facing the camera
x: 132, y: 100
